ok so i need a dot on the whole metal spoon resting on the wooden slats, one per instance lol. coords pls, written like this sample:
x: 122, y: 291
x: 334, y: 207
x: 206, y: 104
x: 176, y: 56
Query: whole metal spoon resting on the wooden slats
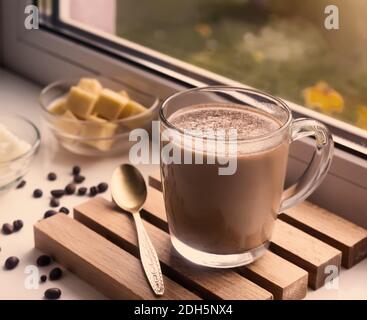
x: 129, y: 192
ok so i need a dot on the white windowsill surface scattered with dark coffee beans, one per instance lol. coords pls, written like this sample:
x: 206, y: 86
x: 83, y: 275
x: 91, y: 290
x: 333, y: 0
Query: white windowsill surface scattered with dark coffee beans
x: 20, y: 96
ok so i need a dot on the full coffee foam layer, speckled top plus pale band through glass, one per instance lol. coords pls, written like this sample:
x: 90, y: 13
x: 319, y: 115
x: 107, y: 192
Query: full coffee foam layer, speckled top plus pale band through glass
x: 217, y: 120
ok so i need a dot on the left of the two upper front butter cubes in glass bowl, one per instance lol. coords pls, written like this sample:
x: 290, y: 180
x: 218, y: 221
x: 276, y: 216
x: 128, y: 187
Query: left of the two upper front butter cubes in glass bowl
x: 80, y: 102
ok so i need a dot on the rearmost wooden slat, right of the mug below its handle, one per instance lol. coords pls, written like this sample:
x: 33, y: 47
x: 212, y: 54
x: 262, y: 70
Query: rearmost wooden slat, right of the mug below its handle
x: 330, y: 228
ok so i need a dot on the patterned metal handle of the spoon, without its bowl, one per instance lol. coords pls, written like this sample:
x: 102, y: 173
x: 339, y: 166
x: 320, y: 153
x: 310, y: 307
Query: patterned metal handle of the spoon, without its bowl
x: 149, y: 258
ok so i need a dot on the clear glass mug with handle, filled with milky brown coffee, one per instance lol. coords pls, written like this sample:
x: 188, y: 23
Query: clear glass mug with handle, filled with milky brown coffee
x: 227, y: 220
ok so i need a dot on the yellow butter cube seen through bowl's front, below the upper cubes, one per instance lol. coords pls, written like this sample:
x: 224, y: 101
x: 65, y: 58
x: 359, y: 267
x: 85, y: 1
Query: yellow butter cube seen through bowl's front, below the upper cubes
x: 96, y: 129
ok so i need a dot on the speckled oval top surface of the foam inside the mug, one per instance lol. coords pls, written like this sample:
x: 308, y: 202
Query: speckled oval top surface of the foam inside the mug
x: 203, y: 118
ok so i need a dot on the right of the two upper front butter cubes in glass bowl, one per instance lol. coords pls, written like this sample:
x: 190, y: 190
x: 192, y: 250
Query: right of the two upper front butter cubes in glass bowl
x: 110, y: 104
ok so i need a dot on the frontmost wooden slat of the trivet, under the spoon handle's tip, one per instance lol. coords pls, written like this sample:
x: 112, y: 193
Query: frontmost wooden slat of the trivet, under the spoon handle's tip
x: 113, y: 271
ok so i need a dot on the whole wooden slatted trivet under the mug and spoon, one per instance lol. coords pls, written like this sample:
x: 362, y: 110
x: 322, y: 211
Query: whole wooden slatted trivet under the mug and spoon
x: 100, y: 245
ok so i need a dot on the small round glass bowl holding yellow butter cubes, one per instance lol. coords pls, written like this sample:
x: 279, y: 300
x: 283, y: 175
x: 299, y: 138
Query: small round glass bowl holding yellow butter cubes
x: 69, y: 132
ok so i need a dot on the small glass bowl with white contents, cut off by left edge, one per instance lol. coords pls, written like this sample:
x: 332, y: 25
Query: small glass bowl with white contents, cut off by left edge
x: 12, y: 171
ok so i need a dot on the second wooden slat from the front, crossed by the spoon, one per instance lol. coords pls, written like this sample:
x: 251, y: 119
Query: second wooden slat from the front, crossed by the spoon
x: 103, y: 217
